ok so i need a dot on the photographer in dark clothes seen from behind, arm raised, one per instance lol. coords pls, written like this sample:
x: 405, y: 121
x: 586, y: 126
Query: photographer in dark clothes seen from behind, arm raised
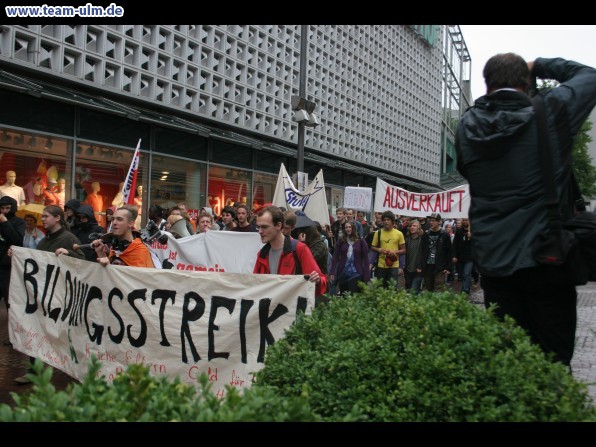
x: 498, y: 154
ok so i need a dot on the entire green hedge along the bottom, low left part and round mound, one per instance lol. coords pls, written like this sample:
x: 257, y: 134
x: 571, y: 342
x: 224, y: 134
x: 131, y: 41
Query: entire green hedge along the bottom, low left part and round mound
x: 374, y: 356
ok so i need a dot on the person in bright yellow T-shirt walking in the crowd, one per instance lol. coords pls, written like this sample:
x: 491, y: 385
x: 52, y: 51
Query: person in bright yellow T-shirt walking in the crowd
x: 389, y: 243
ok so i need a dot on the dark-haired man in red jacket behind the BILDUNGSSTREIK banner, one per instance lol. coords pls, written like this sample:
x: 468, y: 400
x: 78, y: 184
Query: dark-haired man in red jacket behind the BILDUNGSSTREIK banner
x: 277, y: 256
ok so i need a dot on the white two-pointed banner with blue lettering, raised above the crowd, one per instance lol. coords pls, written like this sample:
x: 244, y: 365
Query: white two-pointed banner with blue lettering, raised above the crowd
x: 312, y: 201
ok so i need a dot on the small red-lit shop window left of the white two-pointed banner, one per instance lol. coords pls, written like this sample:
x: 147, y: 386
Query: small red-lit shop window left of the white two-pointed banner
x: 227, y: 187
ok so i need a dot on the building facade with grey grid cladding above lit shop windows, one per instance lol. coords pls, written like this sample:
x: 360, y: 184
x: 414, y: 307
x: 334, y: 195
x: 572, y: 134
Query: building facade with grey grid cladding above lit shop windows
x: 211, y: 107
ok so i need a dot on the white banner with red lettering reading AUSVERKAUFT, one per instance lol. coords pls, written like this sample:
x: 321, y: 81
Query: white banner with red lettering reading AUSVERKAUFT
x: 453, y: 203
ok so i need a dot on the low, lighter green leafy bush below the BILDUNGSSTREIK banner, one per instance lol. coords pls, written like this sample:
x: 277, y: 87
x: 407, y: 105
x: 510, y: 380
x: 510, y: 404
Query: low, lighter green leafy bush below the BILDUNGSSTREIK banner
x: 135, y: 395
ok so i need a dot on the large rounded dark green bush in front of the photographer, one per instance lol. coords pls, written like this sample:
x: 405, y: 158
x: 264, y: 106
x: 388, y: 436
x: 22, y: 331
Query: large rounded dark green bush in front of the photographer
x: 392, y: 356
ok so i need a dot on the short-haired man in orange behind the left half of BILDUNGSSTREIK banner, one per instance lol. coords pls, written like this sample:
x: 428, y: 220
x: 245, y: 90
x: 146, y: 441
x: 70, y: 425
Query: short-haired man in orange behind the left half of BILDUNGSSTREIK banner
x: 126, y: 248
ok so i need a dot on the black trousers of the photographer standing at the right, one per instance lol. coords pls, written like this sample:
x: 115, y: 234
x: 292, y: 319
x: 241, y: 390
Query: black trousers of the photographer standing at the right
x: 546, y: 310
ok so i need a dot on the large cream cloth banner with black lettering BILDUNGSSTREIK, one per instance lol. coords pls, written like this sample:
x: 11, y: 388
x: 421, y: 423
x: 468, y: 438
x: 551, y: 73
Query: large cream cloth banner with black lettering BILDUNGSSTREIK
x: 181, y: 324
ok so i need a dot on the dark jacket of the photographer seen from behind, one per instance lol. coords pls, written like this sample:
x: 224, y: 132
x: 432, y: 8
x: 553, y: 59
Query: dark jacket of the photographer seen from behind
x: 497, y: 153
